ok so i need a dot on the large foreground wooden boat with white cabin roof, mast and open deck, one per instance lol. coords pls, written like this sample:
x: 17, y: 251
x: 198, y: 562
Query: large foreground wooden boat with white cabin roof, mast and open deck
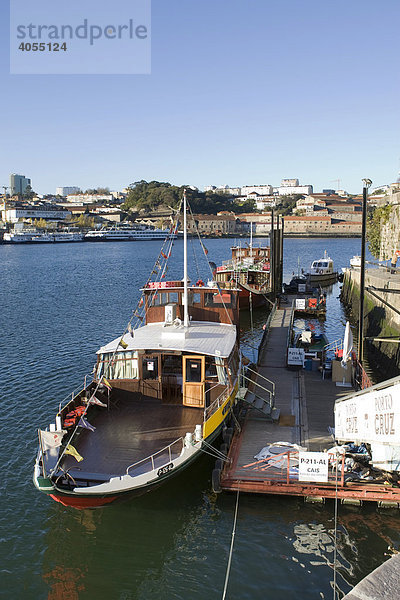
x: 160, y: 395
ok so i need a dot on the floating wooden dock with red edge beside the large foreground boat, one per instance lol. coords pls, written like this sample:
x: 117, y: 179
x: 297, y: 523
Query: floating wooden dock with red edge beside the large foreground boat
x: 303, y: 416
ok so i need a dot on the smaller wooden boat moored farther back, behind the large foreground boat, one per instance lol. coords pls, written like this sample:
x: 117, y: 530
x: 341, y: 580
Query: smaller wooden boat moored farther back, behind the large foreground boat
x: 249, y: 270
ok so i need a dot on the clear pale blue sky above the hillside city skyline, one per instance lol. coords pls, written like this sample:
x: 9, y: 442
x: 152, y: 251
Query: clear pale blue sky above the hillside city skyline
x: 239, y: 93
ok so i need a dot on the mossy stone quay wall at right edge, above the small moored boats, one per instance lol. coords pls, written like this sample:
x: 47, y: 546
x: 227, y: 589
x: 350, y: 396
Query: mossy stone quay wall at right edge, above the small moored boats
x: 379, y: 319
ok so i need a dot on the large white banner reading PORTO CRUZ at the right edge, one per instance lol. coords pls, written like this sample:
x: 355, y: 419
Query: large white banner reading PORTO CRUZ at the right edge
x: 370, y: 417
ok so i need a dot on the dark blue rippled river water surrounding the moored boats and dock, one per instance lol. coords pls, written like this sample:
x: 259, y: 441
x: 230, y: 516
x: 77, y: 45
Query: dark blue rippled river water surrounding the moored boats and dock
x: 59, y: 303
